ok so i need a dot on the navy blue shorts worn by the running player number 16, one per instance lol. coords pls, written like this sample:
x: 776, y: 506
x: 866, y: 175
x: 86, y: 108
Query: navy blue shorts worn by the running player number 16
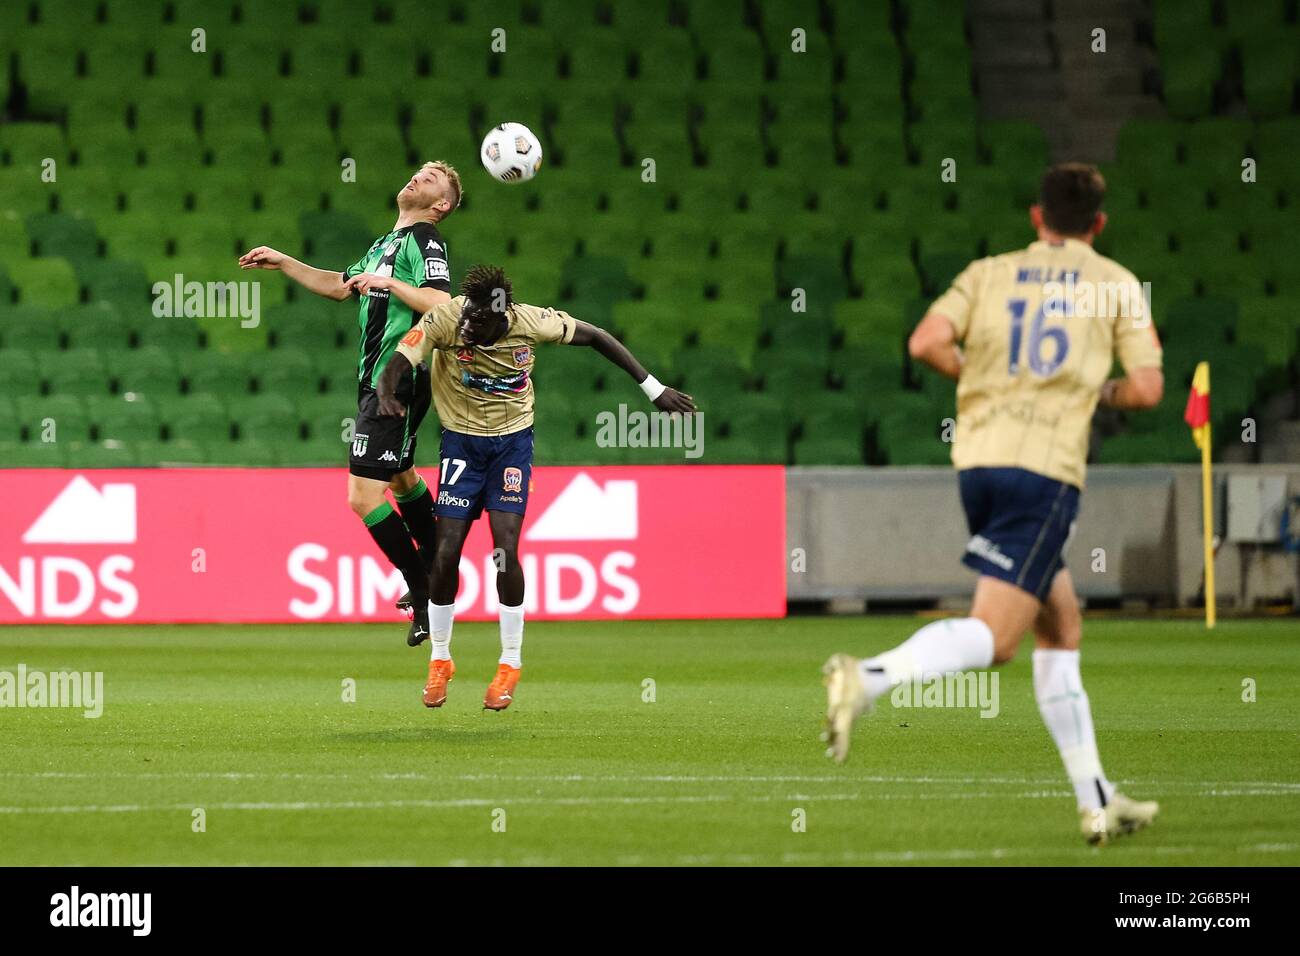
x: 1020, y: 522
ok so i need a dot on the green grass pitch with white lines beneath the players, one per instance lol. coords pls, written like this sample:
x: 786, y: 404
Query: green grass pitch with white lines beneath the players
x: 250, y: 725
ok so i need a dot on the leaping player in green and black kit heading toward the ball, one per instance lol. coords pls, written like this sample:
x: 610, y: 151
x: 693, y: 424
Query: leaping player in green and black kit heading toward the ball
x: 408, y: 265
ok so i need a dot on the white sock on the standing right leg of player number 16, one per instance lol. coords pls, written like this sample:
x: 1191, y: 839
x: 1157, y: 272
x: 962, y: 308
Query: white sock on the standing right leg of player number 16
x: 1064, y: 706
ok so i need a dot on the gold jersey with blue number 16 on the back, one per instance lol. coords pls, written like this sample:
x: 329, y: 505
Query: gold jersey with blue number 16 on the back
x: 1041, y: 330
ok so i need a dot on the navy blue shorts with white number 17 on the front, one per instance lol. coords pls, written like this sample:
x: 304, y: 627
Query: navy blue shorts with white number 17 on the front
x: 484, y: 471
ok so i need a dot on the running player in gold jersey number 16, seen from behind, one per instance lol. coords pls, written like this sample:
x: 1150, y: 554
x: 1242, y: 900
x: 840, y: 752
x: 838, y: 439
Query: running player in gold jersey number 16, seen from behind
x: 1030, y: 338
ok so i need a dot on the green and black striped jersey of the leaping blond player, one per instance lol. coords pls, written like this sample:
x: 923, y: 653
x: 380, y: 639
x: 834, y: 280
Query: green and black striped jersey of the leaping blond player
x: 417, y: 256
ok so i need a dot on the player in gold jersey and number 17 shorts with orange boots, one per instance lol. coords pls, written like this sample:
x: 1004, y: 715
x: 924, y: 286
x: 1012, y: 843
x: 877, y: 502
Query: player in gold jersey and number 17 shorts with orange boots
x: 482, y: 353
